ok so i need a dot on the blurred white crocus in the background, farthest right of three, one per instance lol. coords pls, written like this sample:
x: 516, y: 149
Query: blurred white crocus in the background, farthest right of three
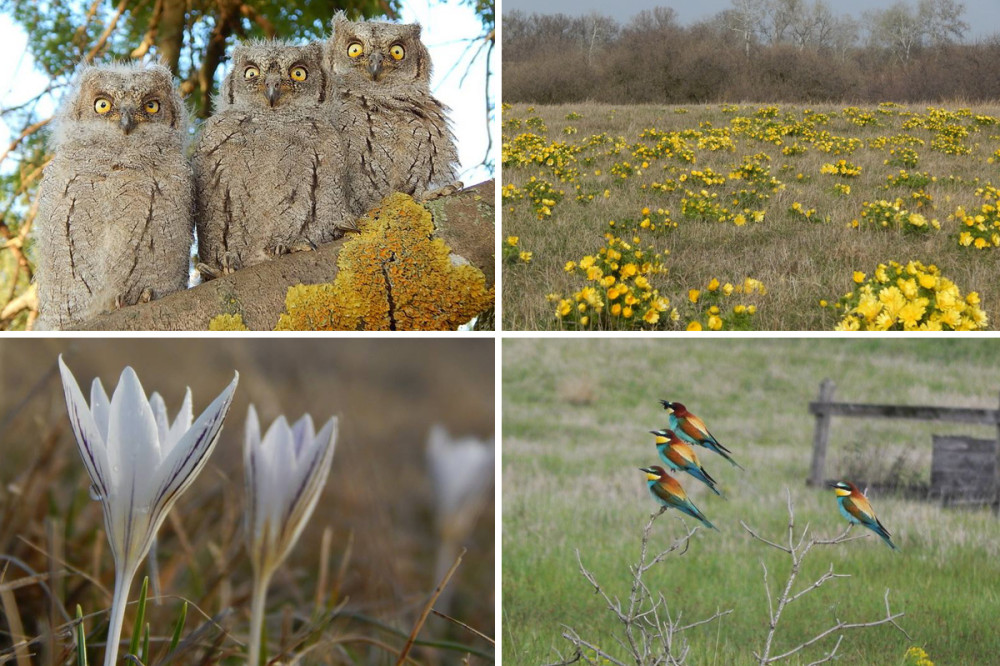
x: 462, y: 472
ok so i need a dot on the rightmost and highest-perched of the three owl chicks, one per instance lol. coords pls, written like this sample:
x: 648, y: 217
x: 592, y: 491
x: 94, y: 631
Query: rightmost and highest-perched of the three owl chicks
x: 396, y: 135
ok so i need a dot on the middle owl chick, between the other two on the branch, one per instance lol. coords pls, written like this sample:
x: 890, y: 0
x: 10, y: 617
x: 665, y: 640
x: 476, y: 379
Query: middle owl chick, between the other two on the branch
x: 268, y: 163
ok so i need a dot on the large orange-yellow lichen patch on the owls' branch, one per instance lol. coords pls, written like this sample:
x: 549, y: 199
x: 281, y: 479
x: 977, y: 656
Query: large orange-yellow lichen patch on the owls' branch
x: 392, y: 276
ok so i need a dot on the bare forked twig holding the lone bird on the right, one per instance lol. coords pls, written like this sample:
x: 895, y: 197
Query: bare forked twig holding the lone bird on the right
x: 798, y: 551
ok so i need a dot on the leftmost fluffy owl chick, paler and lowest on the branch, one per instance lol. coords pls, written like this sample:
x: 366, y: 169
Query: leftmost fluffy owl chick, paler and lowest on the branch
x: 114, y: 223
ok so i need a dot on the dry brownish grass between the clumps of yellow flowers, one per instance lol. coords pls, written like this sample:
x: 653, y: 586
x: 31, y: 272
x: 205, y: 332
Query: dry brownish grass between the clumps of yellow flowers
x: 800, y: 262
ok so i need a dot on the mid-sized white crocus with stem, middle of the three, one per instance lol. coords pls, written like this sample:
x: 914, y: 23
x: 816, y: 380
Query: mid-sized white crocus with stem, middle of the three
x: 285, y: 473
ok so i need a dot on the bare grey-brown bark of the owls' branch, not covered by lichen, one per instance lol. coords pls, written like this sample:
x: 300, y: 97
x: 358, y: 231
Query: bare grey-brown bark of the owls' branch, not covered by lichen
x: 465, y: 221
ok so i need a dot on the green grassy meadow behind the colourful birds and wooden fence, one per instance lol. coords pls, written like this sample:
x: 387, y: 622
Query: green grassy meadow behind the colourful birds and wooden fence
x: 575, y: 420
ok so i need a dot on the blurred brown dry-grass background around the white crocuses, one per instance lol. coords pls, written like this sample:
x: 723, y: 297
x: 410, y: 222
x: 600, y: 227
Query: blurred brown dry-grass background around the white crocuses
x: 359, y: 578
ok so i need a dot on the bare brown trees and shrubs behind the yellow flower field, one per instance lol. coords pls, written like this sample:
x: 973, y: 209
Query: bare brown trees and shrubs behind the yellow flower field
x: 757, y: 50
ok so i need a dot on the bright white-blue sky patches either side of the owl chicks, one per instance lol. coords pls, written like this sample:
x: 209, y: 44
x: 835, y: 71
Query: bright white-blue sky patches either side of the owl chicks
x: 447, y: 28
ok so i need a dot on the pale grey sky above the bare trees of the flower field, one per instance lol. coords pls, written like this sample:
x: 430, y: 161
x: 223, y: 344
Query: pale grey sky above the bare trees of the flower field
x: 983, y: 16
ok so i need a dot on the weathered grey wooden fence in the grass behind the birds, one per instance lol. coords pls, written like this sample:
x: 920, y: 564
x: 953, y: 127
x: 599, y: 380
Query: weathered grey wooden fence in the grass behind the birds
x: 959, y: 461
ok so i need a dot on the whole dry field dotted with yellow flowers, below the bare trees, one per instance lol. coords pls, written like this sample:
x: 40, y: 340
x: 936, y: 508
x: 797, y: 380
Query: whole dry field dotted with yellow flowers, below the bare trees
x: 750, y: 216
